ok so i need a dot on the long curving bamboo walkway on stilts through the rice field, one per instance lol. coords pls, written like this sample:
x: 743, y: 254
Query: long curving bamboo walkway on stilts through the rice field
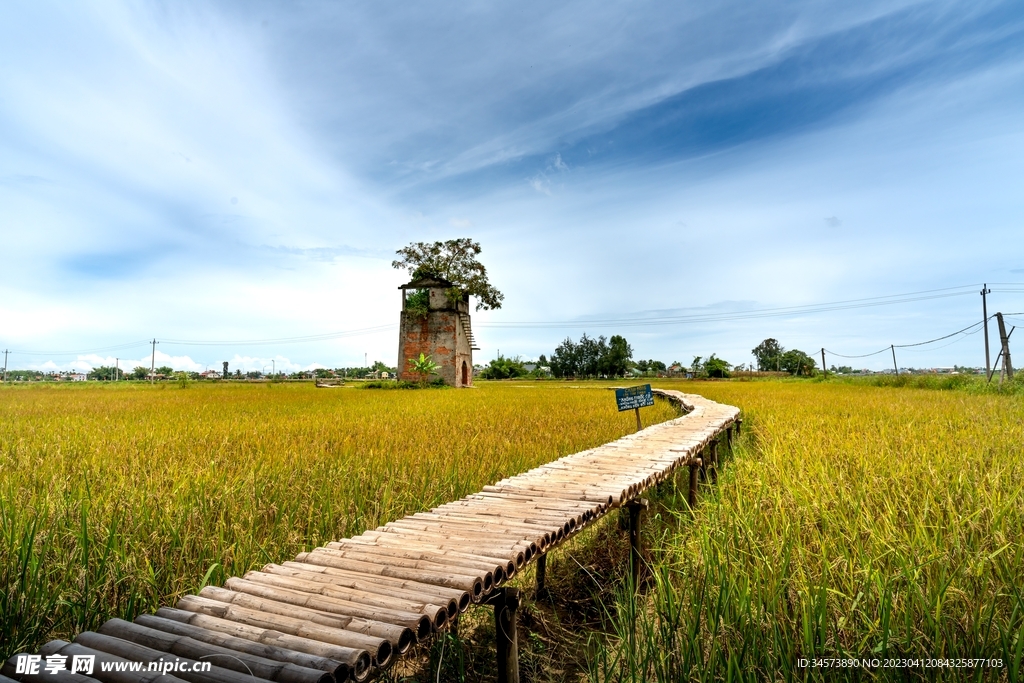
x: 352, y: 609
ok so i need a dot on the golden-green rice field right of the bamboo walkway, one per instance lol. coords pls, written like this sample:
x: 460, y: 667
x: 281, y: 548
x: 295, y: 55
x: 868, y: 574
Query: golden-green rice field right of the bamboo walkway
x: 854, y: 522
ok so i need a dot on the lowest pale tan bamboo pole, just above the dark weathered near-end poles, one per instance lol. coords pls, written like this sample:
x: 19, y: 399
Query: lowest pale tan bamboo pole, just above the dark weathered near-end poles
x: 358, y: 659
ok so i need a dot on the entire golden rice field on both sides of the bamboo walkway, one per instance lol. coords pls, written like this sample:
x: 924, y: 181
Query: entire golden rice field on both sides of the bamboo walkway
x: 850, y: 521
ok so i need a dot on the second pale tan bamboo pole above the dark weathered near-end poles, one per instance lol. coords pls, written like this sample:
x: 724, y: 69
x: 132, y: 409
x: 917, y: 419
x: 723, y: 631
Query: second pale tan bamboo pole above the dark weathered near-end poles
x: 380, y: 650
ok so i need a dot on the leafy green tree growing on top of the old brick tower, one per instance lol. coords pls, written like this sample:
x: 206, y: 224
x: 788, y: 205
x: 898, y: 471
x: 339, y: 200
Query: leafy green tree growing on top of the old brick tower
x: 454, y: 261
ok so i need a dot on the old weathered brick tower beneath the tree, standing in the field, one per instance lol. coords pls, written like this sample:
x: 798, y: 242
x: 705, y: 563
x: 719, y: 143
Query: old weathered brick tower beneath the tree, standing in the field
x: 434, y: 325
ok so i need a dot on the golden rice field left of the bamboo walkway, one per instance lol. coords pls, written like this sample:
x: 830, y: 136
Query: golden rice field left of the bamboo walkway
x: 116, y: 499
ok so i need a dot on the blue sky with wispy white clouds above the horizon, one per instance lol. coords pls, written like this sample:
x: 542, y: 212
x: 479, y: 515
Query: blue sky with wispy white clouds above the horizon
x: 233, y: 180
